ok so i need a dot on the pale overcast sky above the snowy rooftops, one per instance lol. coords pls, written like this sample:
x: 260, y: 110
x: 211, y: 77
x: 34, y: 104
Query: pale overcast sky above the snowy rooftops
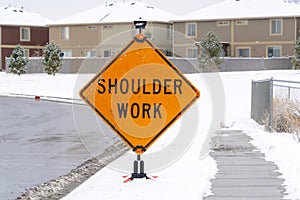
x: 56, y: 9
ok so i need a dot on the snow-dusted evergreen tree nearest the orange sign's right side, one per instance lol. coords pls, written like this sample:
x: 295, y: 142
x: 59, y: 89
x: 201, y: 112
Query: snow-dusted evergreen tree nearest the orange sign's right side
x: 210, y: 52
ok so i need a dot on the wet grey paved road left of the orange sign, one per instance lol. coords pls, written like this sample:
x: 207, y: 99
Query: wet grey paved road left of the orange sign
x: 39, y: 142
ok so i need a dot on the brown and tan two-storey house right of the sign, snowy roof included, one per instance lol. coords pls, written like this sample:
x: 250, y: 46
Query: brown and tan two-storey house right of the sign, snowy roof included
x: 247, y: 28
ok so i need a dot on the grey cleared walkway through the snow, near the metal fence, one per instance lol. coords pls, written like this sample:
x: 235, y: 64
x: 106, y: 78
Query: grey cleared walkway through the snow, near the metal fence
x: 243, y: 174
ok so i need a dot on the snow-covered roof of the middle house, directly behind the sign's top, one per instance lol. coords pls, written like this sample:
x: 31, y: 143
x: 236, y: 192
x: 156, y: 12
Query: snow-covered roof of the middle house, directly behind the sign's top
x: 118, y: 12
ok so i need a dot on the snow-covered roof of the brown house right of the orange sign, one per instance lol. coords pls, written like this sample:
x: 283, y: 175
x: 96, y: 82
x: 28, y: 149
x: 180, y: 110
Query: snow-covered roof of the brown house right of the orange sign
x: 247, y: 9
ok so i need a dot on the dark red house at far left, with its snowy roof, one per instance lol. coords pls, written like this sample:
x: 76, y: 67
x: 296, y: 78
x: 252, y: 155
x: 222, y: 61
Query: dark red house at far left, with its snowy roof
x: 18, y: 26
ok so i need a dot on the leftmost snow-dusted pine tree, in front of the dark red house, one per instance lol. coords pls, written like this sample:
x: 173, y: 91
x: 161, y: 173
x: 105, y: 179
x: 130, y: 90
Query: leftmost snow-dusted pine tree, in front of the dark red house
x: 18, y: 61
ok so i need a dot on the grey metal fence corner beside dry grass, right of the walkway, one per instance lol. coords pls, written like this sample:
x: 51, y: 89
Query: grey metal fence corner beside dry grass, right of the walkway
x: 271, y: 96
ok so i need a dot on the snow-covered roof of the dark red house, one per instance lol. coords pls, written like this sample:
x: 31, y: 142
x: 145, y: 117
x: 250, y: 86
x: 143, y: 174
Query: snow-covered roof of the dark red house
x: 11, y: 15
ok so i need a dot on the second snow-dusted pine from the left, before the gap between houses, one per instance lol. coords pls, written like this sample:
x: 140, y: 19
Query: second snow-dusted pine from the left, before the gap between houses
x: 51, y: 58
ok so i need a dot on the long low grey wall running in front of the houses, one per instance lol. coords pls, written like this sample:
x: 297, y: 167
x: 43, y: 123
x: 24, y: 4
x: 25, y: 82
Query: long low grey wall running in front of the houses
x: 186, y: 65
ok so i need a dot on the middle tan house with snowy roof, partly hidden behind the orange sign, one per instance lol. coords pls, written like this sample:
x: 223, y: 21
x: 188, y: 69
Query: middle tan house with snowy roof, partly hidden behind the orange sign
x: 103, y: 30
